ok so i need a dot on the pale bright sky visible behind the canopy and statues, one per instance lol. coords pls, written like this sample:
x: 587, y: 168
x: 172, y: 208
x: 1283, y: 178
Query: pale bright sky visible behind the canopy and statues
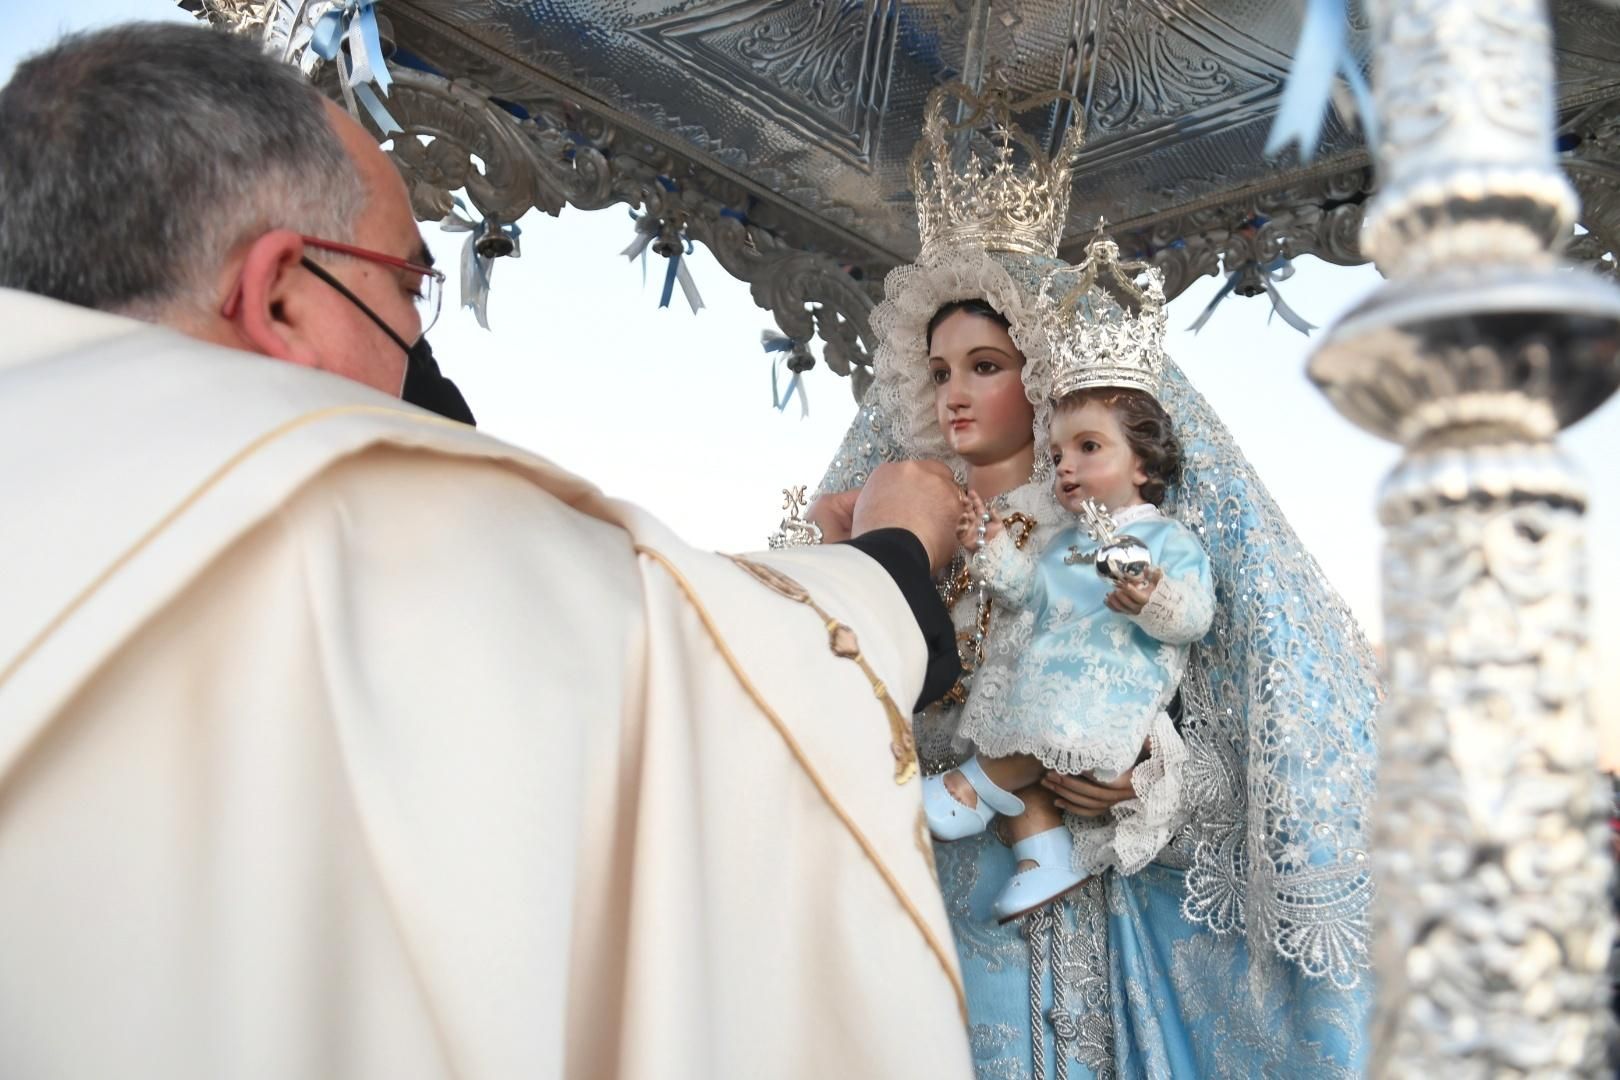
x: 673, y: 410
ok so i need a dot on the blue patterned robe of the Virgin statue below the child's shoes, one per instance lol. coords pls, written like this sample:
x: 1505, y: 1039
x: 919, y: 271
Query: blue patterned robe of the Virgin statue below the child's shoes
x: 1128, y: 989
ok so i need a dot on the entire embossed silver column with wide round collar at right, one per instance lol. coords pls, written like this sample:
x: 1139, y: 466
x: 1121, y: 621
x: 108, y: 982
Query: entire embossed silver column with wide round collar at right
x: 1494, y: 916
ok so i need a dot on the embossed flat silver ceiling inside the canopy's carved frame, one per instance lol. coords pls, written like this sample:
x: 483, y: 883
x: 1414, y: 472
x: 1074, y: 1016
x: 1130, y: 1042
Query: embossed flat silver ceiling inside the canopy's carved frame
x: 816, y: 104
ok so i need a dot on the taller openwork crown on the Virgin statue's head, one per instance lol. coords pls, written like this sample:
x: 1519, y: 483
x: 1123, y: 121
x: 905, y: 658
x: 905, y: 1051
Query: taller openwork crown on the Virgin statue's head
x: 995, y: 205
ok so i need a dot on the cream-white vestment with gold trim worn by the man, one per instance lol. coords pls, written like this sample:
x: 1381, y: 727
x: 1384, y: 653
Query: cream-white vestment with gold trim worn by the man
x: 339, y: 741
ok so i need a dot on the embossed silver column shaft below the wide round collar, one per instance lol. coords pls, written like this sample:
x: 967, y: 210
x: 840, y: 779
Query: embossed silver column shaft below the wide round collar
x: 1496, y: 927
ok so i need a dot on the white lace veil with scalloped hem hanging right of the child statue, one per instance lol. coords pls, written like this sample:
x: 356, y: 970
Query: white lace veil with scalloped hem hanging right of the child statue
x: 1281, y: 716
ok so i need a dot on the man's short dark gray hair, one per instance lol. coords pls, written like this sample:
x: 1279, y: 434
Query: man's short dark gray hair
x: 135, y: 159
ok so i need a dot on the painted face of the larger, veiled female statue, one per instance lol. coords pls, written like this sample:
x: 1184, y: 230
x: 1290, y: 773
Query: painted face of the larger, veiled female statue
x: 979, y: 389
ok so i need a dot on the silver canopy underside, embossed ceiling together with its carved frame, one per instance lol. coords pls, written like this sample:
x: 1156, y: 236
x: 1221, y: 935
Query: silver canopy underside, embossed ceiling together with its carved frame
x: 801, y: 114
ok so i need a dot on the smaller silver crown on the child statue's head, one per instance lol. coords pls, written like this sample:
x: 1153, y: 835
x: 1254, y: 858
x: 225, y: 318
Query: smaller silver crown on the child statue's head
x: 1106, y: 323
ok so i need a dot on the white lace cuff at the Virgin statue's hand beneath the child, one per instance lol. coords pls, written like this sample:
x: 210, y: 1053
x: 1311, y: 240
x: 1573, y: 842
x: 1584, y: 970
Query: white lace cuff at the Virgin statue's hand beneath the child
x: 1141, y: 827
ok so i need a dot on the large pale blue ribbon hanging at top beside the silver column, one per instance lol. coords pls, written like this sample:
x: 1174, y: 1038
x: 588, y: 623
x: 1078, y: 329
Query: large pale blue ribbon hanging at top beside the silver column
x: 1321, y: 57
